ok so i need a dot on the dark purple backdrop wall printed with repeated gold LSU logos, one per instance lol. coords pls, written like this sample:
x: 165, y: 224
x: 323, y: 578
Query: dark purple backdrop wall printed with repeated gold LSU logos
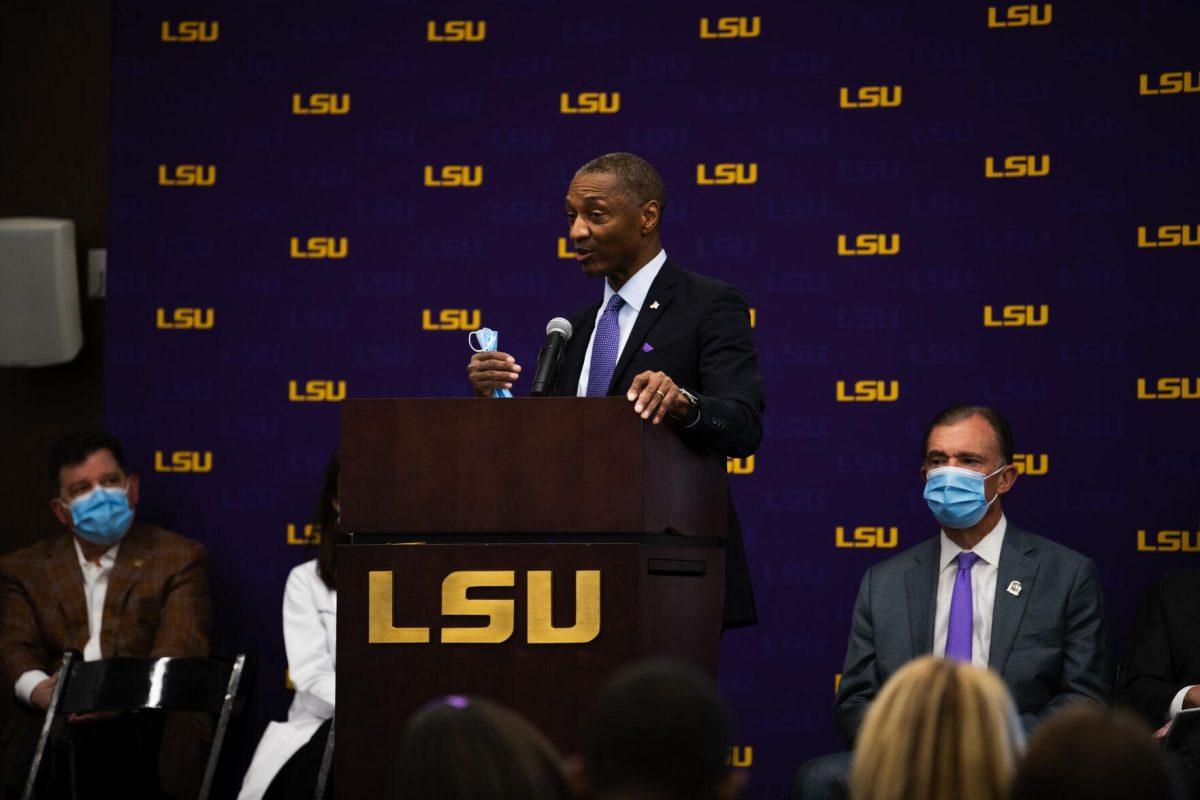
x: 925, y: 206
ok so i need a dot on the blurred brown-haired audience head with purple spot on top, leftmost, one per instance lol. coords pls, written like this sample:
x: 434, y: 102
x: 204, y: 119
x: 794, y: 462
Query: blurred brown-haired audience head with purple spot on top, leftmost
x: 469, y: 749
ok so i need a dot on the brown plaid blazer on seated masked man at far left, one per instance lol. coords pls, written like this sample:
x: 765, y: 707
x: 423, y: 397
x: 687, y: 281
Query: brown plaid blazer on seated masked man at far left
x: 157, y: 605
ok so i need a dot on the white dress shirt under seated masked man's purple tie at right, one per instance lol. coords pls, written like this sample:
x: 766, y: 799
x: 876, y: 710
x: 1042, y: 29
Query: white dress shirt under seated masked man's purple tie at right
x: 983, y: 592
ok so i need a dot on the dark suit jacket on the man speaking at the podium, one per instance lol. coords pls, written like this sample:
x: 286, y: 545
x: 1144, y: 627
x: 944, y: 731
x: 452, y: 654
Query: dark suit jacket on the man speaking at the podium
x: 700, y: 335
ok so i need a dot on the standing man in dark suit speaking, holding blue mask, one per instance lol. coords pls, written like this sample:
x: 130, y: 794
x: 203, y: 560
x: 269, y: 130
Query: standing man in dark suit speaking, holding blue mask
x: 673, y: 342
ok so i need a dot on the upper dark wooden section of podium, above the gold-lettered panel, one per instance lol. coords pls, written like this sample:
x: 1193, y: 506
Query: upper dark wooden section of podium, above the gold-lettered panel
x: 538, y: 466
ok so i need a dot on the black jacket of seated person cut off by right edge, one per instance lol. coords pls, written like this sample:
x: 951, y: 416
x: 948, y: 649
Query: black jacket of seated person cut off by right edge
x: 1163, y: 654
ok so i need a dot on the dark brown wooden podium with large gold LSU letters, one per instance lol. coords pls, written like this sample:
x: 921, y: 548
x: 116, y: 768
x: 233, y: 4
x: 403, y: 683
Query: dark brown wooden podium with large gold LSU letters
x: 518, y: 550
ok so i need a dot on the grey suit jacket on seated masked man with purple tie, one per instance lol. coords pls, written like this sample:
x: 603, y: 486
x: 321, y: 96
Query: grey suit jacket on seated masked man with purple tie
x: 1049, y: 643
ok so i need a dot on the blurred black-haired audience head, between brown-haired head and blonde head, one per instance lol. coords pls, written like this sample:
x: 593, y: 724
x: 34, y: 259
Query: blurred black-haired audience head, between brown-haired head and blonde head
x: 658, y: 732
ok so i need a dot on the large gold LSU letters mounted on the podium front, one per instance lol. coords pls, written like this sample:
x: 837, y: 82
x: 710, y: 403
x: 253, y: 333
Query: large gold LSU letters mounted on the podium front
x: 500, y: 611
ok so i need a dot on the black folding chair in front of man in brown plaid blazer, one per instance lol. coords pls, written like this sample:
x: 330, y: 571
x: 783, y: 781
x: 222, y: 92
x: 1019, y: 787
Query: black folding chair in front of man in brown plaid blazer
x: 214, y: 687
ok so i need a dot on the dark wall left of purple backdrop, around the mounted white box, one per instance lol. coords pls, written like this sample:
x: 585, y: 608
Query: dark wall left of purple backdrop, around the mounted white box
x: 55, y: 70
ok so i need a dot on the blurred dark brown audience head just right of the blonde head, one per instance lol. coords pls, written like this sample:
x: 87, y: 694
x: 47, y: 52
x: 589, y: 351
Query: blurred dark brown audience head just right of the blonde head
x: 1088, y: 753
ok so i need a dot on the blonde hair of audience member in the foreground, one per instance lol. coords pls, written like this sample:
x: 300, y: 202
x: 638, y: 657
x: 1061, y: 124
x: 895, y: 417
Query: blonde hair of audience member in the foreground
x: 940, y: 730
